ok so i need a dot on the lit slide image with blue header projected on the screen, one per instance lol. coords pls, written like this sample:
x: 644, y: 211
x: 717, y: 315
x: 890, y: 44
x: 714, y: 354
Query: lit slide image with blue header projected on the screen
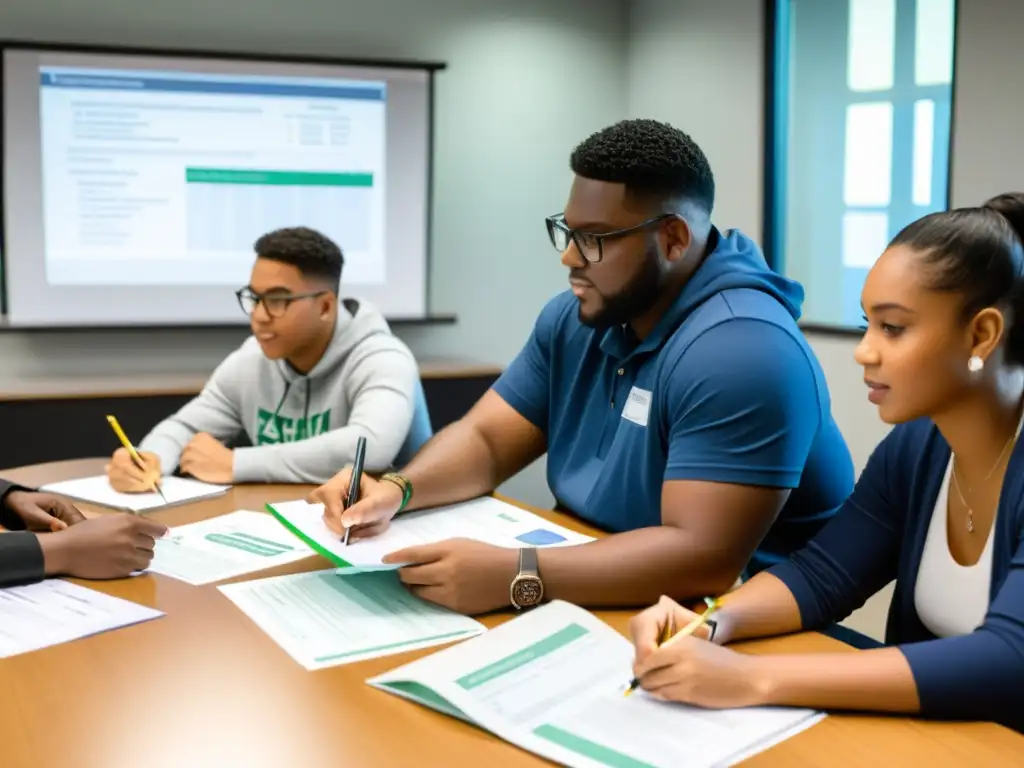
x: 151, y: 178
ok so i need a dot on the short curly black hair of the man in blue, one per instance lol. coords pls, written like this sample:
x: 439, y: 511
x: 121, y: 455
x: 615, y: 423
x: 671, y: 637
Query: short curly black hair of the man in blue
x: 652, y: 159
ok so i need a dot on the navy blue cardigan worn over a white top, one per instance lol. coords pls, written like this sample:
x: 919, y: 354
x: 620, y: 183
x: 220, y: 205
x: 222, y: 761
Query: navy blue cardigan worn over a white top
x: 879, y: 535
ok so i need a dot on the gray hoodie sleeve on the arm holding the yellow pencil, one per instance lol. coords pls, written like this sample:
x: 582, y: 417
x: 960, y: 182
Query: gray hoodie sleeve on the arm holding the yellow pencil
x: 217, y: 410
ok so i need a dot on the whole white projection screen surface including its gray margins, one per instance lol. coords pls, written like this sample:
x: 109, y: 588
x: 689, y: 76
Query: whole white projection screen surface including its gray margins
x: 136, y: 186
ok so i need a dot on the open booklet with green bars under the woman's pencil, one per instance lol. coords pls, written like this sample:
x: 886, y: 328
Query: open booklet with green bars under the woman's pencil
x: 552, y: 682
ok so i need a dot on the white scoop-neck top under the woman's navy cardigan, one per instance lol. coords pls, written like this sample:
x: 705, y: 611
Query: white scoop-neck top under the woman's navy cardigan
x: 952, y: 600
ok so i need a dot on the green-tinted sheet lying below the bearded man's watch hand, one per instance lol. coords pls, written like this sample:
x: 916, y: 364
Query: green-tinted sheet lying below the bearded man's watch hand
x: 323, y: 620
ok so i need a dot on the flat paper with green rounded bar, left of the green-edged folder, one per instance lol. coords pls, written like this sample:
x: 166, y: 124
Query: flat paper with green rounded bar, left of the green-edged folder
x: 226, y: 547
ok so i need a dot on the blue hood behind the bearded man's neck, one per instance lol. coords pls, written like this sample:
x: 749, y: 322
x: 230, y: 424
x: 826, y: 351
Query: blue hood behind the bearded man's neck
x: 739, y: 263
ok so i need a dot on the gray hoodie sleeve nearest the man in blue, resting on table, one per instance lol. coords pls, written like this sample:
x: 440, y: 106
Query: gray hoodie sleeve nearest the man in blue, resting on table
x: 380, y: 389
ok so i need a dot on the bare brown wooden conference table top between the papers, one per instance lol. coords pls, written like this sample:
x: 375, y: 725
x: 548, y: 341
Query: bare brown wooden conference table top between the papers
x: 203, y: 687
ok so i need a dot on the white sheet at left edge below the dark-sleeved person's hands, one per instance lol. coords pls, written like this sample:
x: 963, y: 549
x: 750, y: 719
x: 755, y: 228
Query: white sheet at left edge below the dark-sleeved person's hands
x: 56, y: 612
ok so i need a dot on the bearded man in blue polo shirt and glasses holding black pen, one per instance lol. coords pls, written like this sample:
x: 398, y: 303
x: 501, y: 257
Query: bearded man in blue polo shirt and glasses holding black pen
x: 680, y: 406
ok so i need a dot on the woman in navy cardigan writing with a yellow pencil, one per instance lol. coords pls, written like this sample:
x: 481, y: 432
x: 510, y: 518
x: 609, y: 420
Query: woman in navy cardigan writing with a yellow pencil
x: 940, y: 508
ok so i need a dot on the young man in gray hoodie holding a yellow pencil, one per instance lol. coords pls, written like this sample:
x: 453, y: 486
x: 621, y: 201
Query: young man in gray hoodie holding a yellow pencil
x: 318, y: 374
